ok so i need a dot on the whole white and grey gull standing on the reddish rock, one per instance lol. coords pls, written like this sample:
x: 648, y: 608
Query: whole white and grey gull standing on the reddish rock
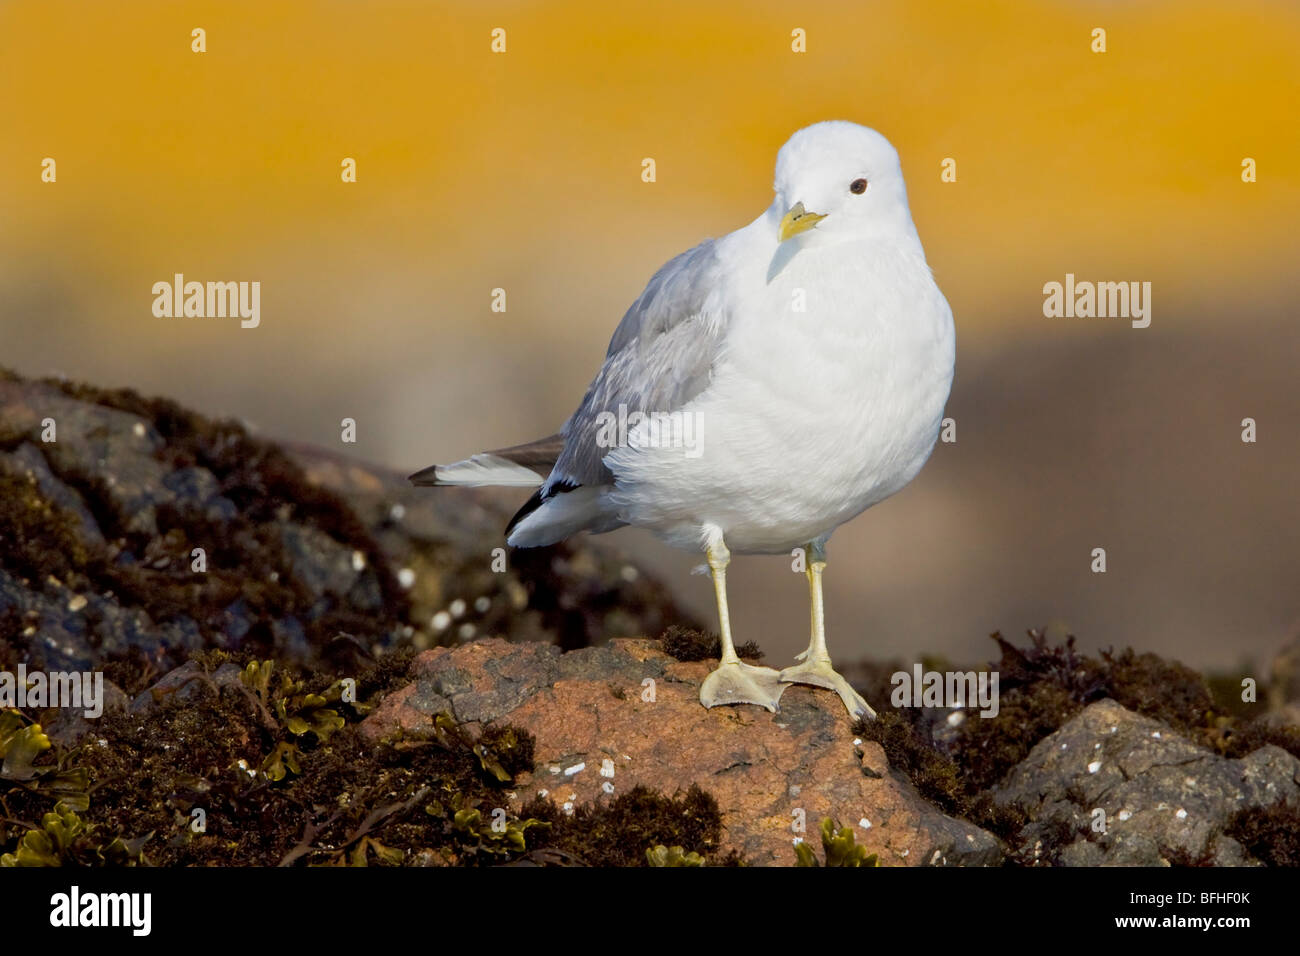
x: 764, y: 390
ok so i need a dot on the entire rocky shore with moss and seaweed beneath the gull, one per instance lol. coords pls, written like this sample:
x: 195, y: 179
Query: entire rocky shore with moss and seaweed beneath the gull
x: 228, y: 587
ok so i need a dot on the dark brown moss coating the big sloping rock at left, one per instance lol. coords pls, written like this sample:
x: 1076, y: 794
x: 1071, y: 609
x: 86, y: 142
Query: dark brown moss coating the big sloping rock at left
x: 249, y: 563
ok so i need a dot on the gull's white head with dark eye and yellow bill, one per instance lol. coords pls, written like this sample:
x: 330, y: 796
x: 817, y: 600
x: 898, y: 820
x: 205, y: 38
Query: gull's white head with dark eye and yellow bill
x: 839, y: 181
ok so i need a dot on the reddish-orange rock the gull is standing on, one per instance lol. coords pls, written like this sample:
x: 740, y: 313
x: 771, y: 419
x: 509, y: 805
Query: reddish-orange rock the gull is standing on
x: 599, y: 733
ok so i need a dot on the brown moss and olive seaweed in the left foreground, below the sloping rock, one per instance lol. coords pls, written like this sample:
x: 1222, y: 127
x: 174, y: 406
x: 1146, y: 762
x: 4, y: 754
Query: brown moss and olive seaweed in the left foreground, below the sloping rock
x: 272, y: 794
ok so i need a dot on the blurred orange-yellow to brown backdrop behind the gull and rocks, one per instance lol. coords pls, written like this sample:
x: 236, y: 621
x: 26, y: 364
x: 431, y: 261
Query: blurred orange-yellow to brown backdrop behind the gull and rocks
x: 522, y: 171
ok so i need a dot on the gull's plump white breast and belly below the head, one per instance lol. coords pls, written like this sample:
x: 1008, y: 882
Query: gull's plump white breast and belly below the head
x: 812, y: 417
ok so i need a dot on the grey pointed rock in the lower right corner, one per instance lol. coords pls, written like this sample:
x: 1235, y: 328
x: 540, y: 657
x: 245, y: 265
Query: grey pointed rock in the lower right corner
x: 1165, y: 799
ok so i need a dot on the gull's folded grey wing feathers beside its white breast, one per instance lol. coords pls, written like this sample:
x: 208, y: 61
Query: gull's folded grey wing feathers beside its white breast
x: 660, y: 358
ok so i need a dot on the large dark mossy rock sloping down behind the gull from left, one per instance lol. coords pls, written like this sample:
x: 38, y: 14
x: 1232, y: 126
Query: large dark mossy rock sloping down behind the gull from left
x: 101, y: 527
